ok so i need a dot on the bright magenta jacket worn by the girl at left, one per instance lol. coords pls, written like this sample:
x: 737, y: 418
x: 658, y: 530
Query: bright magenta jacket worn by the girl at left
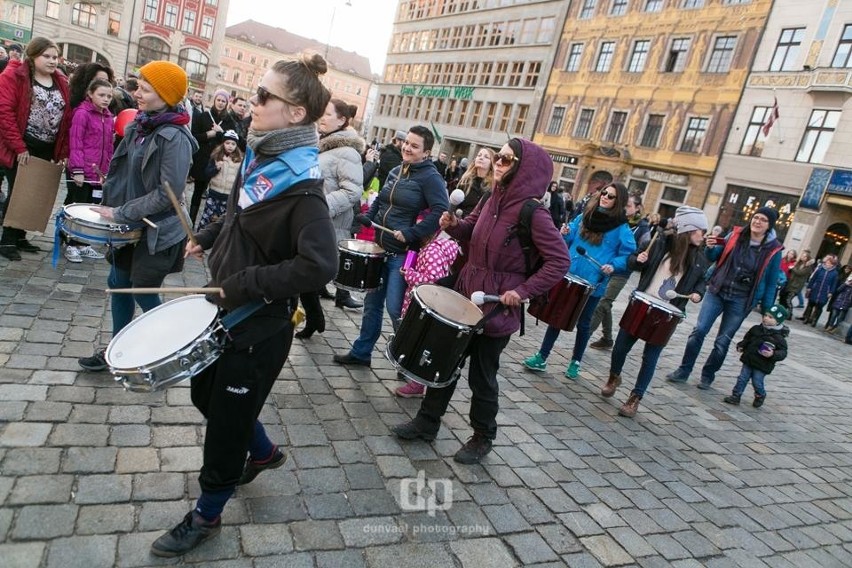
x: 91, y: 141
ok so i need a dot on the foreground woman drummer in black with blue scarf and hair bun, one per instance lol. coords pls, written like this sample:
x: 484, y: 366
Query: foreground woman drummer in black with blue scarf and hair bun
x: 275, y: 241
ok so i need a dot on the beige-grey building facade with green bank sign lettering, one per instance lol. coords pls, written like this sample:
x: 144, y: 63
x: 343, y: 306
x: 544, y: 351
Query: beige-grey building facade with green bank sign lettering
x: 473, y: 70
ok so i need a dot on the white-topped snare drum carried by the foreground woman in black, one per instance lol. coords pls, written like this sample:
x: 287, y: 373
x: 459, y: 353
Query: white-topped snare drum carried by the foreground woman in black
x: 166, y: 345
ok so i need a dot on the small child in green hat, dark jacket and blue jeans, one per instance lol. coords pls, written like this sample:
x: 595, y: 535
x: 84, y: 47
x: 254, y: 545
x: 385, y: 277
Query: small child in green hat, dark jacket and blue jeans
x: 763, y: 346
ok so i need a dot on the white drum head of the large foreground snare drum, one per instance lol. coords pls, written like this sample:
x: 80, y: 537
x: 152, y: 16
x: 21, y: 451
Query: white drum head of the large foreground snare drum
x: 160, y: 332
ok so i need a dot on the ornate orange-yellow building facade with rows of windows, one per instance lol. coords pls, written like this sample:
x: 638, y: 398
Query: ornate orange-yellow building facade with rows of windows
x: 644, y: 92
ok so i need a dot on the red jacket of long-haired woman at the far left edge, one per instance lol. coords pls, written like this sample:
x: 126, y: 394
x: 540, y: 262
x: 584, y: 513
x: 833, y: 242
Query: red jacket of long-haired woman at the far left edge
x: 15, y: 104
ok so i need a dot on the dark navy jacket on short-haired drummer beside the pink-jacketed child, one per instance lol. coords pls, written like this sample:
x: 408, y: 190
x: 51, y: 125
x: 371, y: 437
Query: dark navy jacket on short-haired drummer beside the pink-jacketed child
x: 410, y: 188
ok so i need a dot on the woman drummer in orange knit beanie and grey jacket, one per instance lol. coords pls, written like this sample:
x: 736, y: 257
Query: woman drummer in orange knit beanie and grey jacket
x: 156, y: 149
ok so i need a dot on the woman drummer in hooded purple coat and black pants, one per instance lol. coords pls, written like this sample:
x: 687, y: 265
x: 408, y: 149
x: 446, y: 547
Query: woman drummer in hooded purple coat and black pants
x: 496, y: 266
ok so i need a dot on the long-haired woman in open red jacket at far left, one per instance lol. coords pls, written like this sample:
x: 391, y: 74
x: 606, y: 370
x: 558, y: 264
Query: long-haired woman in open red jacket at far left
x: 35, y: 117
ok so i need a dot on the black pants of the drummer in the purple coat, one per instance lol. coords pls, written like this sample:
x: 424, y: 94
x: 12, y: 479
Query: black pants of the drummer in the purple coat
x: 484, y: 359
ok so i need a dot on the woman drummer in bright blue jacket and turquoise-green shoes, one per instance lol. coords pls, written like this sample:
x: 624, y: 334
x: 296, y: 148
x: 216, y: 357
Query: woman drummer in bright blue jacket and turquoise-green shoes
x: 603, y: 232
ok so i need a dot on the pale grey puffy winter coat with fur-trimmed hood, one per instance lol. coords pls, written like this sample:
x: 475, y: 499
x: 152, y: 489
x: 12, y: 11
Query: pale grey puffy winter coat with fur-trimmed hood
x: 343, y: 177
